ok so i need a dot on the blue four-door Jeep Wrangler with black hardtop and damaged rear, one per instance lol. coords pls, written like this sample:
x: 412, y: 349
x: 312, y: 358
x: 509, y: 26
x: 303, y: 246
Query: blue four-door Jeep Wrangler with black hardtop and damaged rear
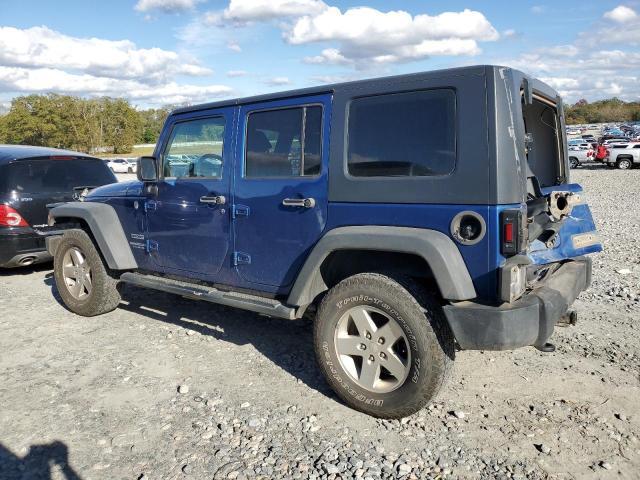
x: 412, y: 216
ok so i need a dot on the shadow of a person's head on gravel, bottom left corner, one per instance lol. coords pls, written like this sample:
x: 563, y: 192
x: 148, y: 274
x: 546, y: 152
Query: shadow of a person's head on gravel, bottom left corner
x: 37, y: 464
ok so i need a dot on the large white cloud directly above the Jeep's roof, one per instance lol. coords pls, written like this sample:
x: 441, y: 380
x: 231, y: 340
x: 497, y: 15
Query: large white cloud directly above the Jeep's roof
x: 367, y: 35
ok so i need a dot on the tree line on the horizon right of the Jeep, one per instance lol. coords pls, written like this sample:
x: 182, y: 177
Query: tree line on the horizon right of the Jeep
x: 602, y: 111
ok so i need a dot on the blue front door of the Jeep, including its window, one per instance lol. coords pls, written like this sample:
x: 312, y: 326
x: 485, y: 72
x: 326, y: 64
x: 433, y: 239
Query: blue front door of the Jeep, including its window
x: 188, y: 216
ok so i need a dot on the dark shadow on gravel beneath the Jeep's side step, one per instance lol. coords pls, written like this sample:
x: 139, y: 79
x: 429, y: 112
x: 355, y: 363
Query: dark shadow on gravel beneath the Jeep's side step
x: 288, y: 344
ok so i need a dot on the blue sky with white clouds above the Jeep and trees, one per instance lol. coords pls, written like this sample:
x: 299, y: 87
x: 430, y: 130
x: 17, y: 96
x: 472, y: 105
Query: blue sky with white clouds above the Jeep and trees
x: 156, y: 52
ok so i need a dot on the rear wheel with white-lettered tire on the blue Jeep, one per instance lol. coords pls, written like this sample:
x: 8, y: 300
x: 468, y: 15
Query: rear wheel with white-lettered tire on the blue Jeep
x: 383, y: 344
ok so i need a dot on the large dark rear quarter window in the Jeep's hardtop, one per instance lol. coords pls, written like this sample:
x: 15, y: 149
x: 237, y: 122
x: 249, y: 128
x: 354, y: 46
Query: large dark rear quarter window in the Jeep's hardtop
x: 402, y: 134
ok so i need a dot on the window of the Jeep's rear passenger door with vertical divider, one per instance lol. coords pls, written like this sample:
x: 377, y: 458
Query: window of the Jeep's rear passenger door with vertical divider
x: 284, y: 143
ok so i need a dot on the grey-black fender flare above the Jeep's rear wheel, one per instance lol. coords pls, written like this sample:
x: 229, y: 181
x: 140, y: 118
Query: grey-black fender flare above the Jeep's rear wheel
x: 437, y: 249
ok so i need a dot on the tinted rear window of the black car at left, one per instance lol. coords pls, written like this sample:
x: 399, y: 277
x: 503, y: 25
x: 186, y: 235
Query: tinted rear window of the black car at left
x: 47, y: 175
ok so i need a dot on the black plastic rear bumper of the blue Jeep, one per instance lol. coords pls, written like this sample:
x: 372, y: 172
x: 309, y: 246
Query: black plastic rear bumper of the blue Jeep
x: 527, y: 321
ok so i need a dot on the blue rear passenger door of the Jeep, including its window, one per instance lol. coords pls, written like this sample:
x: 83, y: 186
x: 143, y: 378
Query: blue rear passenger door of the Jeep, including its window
x: 280, y: 192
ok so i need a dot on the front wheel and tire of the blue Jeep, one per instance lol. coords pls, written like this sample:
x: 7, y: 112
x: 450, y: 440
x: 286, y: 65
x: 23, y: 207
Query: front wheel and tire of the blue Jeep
x: 82, y: 279
